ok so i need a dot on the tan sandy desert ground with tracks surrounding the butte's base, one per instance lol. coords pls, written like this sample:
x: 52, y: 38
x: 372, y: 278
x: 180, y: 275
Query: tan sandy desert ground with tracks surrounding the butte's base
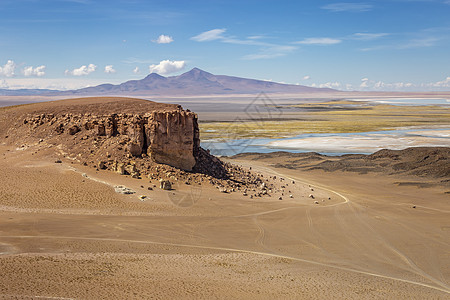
x: 66, y: 234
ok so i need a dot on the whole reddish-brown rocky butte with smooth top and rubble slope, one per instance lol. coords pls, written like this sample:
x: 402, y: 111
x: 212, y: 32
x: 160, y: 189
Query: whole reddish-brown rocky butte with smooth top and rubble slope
x: 125, y: 135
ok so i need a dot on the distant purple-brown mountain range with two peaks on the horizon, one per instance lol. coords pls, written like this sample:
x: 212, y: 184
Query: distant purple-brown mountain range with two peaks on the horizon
x: 193, y: 82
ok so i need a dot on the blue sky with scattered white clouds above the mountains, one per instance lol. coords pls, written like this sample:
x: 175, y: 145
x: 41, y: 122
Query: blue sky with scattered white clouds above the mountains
x: 392, y: 45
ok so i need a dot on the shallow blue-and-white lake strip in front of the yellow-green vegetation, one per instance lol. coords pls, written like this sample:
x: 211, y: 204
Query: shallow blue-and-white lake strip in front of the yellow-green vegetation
x: 337, y: 143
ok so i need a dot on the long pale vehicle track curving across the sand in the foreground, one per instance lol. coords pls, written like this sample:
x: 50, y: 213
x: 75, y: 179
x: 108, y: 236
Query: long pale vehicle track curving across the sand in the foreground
x: 441, y: 289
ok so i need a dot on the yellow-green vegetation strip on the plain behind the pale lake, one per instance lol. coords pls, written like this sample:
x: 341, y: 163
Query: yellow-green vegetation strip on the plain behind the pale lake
x: 373, y: 118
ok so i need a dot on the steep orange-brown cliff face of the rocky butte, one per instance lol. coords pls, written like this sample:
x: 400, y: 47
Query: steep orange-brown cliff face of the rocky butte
x: 168, y: 137
